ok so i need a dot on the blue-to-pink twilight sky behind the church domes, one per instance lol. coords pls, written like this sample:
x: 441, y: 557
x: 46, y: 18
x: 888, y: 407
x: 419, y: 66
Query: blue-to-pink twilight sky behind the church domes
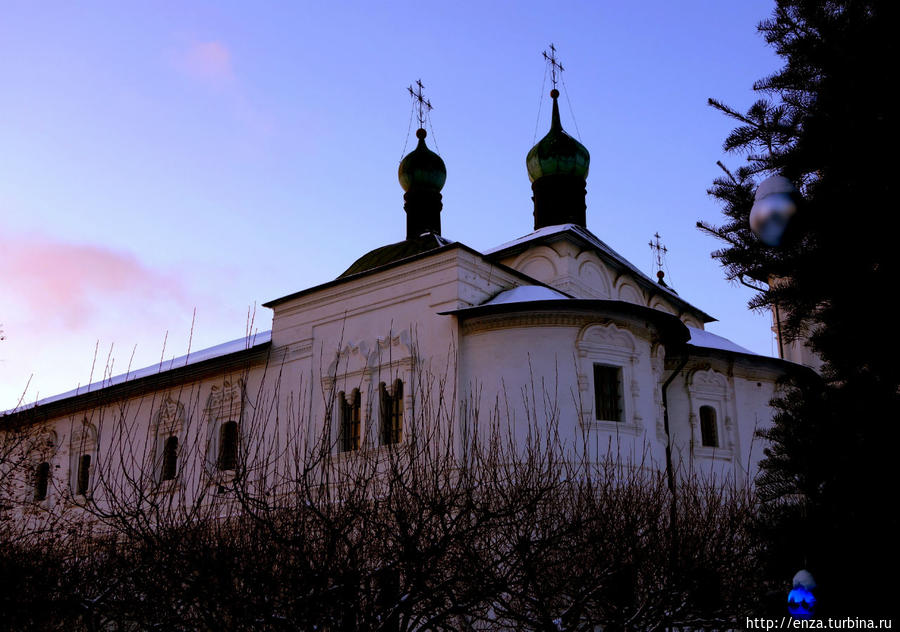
x: 157, y: 158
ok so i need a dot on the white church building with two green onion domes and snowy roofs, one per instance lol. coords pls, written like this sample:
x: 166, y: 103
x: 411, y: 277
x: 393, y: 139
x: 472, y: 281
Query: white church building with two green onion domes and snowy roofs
x: 554, y: 324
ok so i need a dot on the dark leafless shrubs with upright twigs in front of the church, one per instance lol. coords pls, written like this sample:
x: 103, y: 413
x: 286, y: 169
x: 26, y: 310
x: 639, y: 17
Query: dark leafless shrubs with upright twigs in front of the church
x: 459, y: 526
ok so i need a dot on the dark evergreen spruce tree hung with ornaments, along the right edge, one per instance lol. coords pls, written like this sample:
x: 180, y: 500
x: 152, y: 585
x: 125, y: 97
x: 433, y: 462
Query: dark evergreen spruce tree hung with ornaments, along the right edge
x: 828, y: 122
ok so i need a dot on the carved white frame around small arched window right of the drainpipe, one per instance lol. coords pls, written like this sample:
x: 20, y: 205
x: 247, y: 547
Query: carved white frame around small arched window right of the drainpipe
x: 708, y: 387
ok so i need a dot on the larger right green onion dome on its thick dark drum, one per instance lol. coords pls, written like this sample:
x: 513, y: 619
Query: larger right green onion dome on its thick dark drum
x: 558, y: 167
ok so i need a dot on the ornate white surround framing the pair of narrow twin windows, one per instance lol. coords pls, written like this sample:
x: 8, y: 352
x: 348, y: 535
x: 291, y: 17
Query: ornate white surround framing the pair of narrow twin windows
x: 361, y: 366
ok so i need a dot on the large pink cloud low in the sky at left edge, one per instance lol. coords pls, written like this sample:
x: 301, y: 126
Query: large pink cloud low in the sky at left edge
x: 47, y: 282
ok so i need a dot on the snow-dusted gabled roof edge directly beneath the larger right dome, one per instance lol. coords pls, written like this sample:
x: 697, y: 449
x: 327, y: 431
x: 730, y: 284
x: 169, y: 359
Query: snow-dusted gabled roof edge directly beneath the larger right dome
x: 553, y: 233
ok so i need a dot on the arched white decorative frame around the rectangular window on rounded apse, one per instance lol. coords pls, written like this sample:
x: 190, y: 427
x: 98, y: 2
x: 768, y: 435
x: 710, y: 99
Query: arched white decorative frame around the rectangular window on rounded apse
x: 608, y: 345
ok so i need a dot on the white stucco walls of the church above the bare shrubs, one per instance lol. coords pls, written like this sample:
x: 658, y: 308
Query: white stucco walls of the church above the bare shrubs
x: 514, y: 366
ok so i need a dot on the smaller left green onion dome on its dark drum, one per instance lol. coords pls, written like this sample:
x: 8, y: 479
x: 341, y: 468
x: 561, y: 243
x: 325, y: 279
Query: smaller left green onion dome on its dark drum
x: 422, y: 175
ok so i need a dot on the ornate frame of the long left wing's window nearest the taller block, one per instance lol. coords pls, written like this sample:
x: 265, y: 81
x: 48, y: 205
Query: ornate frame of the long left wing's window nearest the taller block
x: 225, y: 403
